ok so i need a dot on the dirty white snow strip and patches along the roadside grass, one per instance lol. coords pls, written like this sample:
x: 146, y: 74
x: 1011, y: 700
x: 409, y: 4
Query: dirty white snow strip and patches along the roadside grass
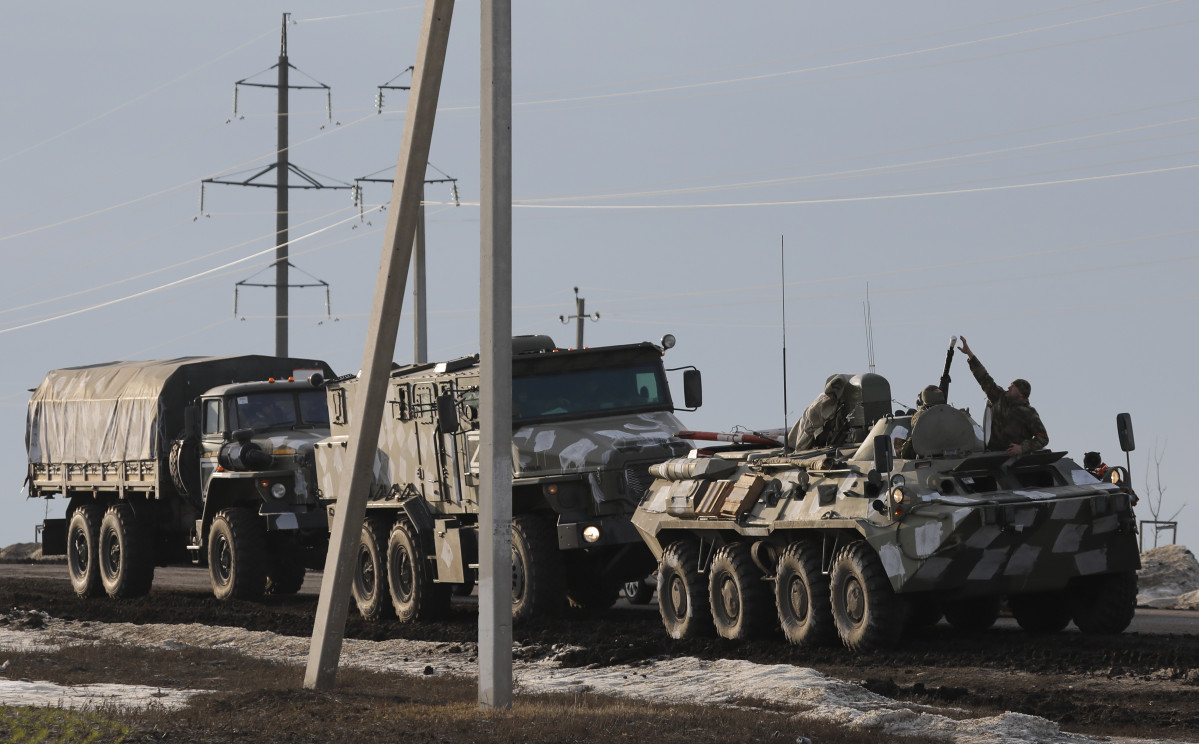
x: 806, y: 692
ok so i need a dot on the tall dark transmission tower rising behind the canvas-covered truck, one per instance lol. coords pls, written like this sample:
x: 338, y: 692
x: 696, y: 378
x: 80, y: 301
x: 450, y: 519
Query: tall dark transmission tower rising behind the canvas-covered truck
x: 282, y: 168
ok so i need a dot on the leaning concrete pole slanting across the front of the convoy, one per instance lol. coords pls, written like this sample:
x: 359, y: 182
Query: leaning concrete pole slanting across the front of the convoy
x: 329, y: 630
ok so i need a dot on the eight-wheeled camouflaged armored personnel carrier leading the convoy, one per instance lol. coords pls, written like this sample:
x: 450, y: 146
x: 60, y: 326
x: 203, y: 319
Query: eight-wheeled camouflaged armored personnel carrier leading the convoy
x: 847, y: 541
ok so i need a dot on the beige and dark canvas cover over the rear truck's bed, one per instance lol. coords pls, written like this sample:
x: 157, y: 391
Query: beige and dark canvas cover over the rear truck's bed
x: 123, y: 412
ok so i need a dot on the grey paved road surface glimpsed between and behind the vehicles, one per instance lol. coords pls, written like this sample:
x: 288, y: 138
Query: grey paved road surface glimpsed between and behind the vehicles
x: 1156, y: 622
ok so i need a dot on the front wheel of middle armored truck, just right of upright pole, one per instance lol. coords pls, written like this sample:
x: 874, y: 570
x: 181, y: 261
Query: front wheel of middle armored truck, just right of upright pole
x: 539, y: 583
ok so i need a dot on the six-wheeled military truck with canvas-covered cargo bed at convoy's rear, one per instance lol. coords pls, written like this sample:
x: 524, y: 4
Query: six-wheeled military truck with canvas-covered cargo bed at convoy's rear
x: 209, y: 458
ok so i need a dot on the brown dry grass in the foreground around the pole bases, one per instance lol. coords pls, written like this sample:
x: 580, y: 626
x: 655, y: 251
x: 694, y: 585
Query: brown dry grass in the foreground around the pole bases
x: 266, y: 703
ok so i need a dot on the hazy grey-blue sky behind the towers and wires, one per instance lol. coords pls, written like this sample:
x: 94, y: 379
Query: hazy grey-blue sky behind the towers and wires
x: 1020, y: 173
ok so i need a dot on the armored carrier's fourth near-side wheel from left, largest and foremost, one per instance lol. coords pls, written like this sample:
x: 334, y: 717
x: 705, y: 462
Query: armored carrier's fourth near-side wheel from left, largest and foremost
x: 864, y: 606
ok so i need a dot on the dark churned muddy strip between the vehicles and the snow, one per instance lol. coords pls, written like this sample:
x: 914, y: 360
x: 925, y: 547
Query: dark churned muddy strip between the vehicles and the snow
x: 1134, y: 685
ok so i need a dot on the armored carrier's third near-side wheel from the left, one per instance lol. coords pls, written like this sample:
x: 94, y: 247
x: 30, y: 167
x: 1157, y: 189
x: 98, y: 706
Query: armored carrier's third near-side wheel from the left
x: 802, y: 592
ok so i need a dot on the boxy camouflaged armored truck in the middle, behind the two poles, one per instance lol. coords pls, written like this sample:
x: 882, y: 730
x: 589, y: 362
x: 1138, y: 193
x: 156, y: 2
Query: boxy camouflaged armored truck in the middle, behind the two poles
x: 588, y: 424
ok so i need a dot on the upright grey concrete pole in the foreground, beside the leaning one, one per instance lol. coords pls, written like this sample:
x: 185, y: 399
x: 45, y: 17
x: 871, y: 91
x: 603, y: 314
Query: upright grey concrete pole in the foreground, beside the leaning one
x: 496, y: 361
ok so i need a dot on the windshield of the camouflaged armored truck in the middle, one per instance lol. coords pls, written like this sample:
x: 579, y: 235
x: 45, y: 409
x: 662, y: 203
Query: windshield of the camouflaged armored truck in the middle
x: 589, y: 392
